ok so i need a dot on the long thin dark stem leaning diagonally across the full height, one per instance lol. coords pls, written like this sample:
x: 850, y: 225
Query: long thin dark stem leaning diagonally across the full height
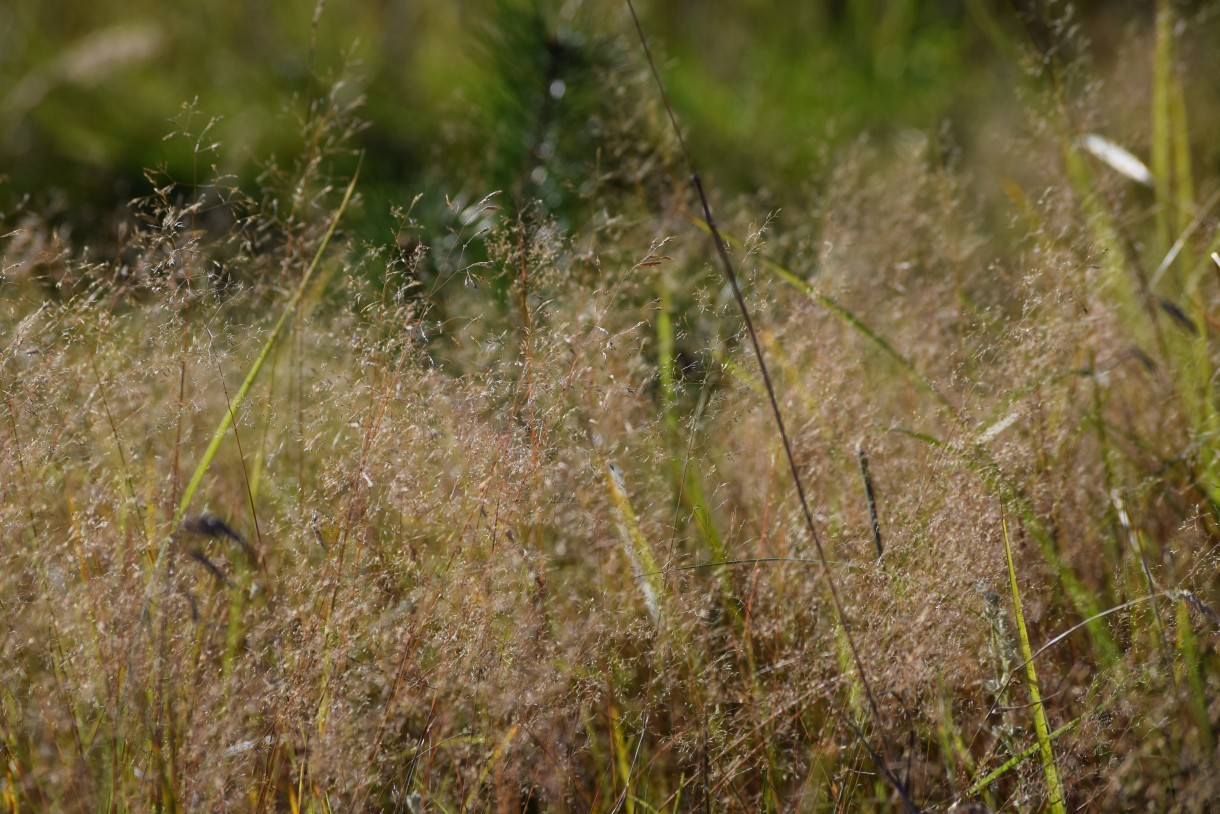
x: 731, y: 275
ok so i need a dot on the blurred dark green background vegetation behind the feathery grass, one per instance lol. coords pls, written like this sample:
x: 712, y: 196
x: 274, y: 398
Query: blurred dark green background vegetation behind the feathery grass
x: 541, y: 101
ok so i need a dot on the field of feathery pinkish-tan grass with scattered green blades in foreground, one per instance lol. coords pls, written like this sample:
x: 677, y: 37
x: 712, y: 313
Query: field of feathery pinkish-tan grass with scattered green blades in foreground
x: 497, y: 518
